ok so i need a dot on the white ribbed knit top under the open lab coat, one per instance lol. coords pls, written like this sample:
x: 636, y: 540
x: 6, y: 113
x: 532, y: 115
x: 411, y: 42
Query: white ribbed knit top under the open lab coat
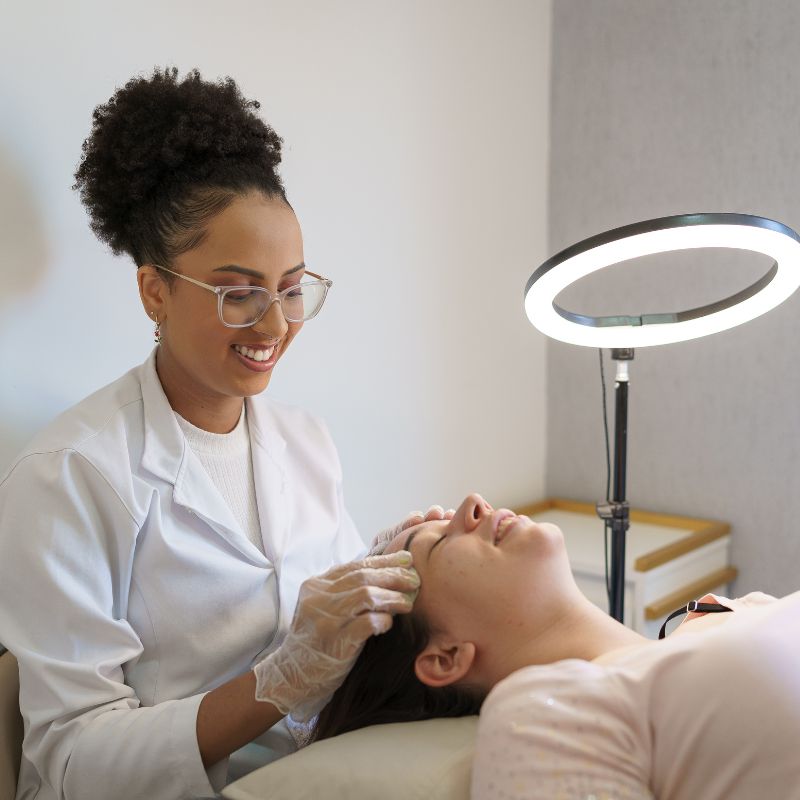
x: 227, y: 459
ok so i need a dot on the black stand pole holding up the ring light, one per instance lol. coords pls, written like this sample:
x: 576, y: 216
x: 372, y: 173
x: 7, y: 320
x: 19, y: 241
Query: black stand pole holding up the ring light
x: 617, y: 512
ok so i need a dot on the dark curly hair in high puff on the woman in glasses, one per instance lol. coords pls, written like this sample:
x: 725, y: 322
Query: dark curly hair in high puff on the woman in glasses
x: 165, y: 155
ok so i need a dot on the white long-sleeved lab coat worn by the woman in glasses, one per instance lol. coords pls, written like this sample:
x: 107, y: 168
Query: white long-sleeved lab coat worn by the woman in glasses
x: 128, y: 588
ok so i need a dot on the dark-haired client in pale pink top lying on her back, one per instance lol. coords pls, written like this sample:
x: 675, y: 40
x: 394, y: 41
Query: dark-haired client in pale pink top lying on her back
x: 579, y: 706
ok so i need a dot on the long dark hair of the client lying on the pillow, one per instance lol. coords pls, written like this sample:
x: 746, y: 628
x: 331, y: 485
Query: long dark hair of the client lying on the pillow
x: 382, y: 687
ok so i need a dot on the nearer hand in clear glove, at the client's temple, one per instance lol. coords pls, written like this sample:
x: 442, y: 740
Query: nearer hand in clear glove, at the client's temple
x: 336, y: 613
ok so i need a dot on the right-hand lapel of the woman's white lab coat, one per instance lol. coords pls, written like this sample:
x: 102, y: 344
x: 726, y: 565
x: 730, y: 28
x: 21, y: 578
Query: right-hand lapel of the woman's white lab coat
x: 273, y: 487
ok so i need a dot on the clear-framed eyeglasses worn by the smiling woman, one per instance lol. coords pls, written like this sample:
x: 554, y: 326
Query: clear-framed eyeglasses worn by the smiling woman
x: 243, y: 306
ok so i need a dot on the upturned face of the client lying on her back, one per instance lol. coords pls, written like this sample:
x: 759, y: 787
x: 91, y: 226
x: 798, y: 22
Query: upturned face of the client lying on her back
x: 488, y: 576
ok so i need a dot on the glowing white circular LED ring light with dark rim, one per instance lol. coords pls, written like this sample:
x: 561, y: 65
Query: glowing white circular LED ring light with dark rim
x: 666, y: 234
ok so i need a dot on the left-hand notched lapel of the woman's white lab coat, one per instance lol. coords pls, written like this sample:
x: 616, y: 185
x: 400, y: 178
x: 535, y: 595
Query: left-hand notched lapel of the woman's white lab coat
x: 167, y: 456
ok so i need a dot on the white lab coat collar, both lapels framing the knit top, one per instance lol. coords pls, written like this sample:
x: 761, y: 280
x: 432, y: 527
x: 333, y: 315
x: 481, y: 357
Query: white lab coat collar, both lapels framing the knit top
x: 167, y: 456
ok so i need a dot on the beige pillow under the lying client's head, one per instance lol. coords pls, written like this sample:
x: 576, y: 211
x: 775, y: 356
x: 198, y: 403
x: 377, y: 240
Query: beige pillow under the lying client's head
x: 430, y: 760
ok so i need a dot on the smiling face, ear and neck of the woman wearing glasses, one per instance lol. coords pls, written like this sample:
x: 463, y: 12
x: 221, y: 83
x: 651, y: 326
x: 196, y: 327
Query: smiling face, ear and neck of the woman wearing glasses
x: 204, y: 366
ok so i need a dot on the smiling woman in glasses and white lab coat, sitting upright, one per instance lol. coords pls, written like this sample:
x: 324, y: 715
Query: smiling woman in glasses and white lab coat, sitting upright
x: 159, y: 540
